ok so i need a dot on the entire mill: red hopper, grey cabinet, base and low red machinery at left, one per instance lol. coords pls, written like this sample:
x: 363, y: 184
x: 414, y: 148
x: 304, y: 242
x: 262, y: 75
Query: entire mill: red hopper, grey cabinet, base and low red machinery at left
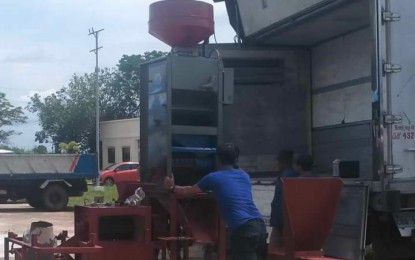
x: 179, y: 133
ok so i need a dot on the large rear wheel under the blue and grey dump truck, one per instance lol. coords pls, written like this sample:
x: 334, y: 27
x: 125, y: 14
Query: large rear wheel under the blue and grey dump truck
x: 55, y: 197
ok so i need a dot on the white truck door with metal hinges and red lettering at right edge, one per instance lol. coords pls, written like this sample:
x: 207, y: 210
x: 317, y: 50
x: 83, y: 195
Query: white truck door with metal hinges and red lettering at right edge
x: 396, y: 36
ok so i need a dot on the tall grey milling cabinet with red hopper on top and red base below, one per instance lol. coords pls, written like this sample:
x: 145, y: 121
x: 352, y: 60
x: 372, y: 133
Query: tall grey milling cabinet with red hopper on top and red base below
x: 180, y: 128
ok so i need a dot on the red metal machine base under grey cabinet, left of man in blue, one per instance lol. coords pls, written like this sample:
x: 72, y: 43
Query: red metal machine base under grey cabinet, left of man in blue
x: 178, y: 223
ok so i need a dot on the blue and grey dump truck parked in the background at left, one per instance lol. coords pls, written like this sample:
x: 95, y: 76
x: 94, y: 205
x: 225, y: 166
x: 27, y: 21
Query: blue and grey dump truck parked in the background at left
x: 45, y: 181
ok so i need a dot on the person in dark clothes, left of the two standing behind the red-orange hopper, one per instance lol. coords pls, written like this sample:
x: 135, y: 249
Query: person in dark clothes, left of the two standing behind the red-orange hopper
x: 285, y: 169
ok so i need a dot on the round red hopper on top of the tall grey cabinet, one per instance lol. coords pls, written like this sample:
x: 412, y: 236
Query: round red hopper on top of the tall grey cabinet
x: 181, y: 23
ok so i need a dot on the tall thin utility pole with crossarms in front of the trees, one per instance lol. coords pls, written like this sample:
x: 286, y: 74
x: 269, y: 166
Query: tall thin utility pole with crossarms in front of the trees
x: 97, y: 48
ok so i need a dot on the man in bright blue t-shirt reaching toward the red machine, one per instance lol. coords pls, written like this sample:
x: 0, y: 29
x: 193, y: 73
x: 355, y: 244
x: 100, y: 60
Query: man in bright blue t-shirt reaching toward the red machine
x: 232, y: 190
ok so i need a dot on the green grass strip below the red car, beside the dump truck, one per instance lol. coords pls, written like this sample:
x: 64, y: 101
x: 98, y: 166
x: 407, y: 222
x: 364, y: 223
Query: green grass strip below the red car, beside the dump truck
x: 110, y: 194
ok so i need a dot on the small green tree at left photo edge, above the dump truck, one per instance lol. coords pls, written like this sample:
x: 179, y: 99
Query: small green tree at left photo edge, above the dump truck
x: 9, y: 115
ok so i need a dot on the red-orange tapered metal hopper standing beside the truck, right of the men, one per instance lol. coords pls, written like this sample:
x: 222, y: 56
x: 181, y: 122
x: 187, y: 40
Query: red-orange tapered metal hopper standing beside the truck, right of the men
x: 310, y: 206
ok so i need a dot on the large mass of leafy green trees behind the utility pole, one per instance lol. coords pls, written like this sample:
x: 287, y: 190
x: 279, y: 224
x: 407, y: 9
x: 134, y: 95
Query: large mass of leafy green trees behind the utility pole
x: 69, y: 114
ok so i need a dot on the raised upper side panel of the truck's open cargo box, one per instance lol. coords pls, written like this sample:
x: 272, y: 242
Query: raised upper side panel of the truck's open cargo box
x: 299, y: 22
